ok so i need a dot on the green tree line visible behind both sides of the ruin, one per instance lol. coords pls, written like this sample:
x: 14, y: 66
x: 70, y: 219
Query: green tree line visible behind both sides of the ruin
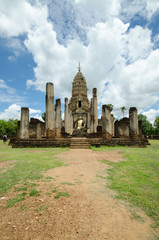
x: 10, y: 127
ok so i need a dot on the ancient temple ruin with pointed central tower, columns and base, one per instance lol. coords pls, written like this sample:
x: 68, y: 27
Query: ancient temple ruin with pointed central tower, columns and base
x: 81, y: 127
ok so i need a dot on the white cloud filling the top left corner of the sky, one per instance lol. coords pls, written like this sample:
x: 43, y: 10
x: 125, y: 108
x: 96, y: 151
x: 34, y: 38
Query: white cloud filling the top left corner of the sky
x: 19, y: 16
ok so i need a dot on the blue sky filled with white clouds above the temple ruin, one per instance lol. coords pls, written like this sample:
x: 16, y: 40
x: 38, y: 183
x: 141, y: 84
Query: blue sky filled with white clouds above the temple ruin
x: 116, y: 42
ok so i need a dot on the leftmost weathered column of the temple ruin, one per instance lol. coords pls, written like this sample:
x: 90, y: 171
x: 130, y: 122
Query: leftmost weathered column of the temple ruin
x: 24, y: 124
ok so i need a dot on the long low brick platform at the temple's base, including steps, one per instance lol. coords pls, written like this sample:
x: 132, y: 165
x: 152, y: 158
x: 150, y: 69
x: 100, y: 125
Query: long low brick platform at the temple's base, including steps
x: 76, y: 142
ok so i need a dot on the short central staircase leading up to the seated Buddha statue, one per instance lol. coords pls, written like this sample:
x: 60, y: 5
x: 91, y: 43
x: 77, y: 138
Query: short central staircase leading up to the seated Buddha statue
x: 80, y: 143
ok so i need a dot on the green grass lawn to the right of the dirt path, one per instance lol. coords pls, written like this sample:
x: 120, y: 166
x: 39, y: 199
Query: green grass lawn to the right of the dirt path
x: 137, y: 178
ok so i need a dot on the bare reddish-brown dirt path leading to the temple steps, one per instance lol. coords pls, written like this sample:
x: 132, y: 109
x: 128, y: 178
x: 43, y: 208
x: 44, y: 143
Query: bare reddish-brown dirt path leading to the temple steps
x: 89, y: 213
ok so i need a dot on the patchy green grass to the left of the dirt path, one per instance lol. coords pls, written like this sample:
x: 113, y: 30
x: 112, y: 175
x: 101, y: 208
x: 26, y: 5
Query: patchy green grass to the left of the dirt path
x: 25, y: 165
